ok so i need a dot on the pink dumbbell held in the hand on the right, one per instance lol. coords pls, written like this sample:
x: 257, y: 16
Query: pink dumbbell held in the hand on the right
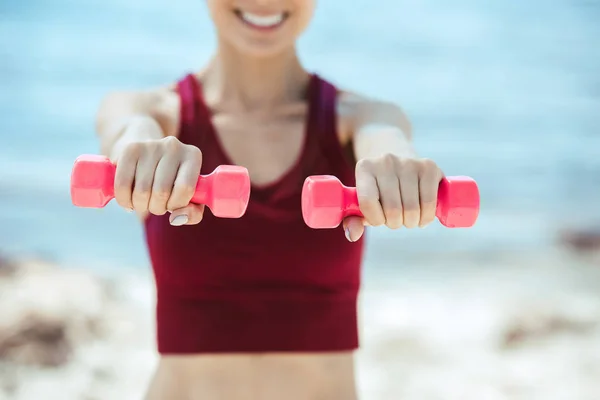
x: 326, y: 202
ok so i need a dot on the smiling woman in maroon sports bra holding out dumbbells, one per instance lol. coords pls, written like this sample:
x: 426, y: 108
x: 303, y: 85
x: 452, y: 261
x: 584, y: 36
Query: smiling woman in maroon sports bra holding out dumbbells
x: 260, y: 307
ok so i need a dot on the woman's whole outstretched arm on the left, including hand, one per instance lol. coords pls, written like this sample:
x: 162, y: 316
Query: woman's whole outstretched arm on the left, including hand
x: 155, y: 172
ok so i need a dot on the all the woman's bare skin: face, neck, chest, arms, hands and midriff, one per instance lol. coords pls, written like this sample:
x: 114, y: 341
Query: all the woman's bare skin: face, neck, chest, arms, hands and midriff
x: 260, y: 124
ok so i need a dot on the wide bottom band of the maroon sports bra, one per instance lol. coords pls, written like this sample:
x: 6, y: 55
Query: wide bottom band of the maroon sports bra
x: 256, y: 324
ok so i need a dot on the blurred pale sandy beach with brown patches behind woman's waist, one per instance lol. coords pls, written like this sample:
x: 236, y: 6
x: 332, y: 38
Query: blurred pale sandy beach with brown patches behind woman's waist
x: 521, y: 327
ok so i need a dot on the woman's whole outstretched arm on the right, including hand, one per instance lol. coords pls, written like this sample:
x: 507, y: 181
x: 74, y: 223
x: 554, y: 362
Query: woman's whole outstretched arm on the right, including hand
x: 395, y: 187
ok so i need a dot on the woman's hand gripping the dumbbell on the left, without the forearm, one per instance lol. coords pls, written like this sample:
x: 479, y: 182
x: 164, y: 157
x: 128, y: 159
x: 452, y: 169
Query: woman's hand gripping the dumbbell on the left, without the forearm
x: 159, y: 176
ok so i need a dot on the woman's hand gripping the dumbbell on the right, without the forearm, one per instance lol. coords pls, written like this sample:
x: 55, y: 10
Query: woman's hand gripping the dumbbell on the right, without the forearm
x: 395, y: 192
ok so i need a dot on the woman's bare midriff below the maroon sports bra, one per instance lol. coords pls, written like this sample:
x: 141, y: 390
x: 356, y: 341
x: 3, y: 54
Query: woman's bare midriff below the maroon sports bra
x: 328, y: 376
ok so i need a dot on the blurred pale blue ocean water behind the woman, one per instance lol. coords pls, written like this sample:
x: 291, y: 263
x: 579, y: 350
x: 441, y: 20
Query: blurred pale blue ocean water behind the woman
x: 506, y: 92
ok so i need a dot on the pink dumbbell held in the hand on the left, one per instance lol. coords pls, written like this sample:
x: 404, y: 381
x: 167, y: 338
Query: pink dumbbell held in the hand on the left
x: 226, y: 190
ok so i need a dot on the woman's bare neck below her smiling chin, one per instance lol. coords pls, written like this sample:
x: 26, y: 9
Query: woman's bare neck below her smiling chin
x: 244, y: 82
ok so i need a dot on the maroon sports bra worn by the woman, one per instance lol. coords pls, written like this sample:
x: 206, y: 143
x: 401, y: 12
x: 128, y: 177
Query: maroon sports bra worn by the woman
x: 264, y: 282
